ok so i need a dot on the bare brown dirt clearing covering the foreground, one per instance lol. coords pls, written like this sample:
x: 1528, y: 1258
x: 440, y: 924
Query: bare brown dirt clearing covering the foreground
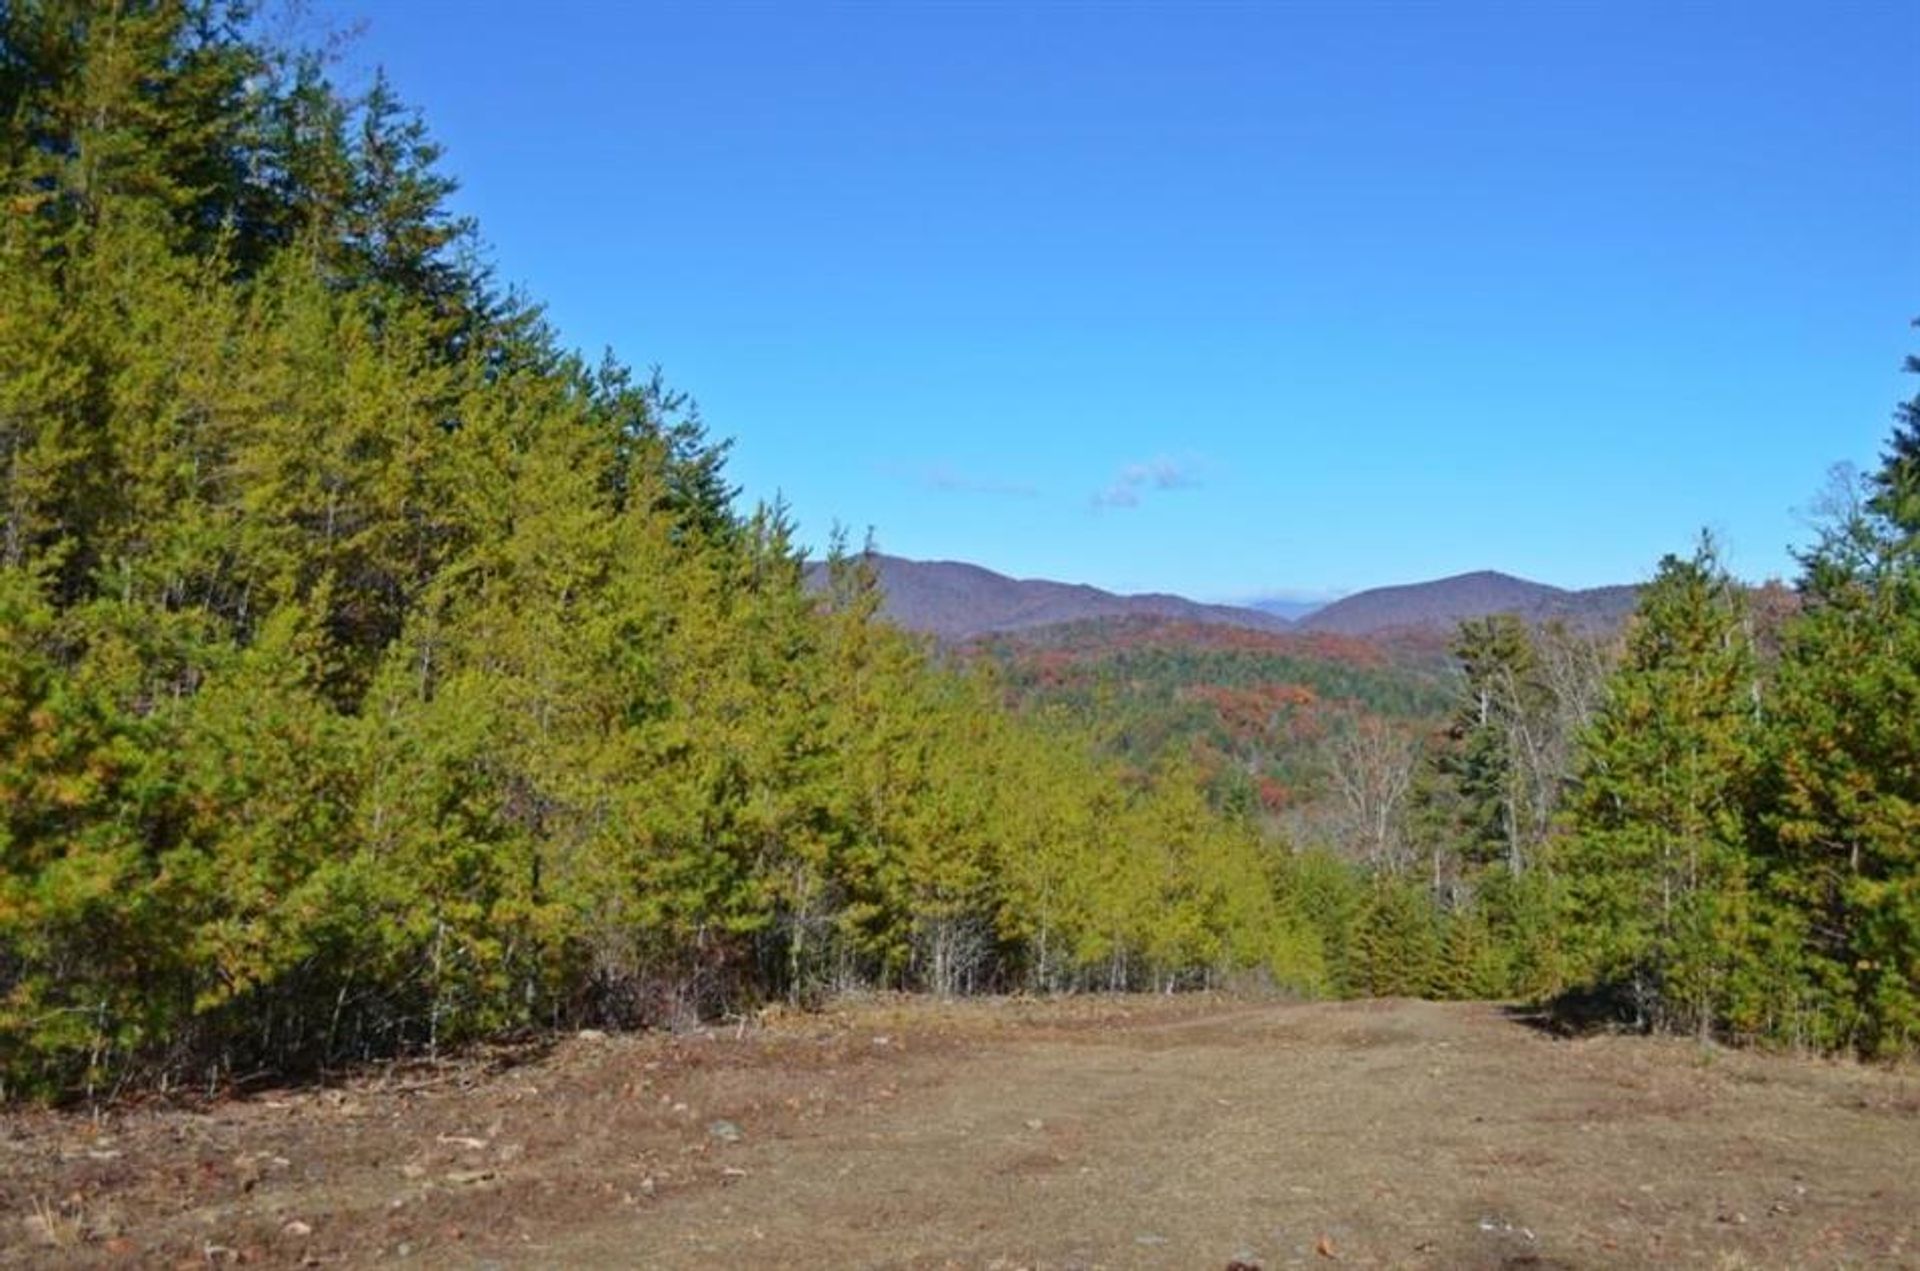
x: 1078, y: 1134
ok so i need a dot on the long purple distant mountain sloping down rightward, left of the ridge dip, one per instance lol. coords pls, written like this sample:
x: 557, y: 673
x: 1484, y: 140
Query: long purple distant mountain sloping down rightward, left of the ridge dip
x: 957, y: 602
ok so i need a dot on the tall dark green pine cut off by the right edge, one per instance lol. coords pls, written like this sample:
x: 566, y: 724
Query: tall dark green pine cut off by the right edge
x: 1844, y: 803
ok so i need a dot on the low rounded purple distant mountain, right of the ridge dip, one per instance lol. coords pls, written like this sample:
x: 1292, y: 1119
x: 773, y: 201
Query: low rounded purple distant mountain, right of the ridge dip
x: 1447, y: 602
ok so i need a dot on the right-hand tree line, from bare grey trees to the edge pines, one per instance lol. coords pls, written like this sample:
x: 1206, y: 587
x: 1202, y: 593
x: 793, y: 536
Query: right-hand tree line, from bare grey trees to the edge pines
x: 1706, y: 827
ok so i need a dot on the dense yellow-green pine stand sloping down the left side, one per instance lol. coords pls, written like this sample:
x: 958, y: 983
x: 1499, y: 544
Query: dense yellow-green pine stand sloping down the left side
x: 377, y: 675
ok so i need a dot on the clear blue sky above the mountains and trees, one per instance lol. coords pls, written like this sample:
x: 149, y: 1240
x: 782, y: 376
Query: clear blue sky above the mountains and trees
x: 1222, y: 300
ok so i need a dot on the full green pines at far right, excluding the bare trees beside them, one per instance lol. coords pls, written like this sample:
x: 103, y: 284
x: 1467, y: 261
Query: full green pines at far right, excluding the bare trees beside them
x: 1746, y: 844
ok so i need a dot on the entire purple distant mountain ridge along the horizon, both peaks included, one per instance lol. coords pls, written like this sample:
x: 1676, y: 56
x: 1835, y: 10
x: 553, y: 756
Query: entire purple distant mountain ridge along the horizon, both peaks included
x: 957, y: 602
